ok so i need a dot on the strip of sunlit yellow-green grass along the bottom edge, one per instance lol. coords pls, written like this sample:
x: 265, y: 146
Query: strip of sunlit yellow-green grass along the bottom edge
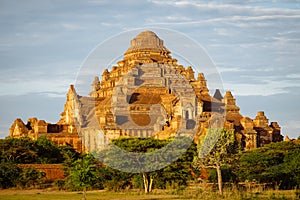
x: 157, y: 194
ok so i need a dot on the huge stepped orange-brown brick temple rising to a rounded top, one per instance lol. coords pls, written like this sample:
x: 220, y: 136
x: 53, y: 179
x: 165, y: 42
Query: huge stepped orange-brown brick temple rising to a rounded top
x: 148, y: 94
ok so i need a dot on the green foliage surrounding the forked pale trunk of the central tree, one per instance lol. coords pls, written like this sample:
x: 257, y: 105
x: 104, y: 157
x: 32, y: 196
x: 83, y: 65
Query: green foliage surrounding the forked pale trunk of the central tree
x: 177, y: 172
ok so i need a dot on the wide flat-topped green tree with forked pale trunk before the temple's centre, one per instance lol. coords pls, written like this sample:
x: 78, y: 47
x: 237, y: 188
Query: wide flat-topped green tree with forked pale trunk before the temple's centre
x: 155, y: 160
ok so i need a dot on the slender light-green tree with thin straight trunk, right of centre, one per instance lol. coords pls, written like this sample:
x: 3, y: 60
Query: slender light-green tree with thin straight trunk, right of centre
x: 216, y: 149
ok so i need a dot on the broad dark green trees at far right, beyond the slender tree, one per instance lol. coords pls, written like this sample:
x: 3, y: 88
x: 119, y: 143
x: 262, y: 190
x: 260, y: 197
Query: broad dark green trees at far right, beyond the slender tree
x: 277, y: 163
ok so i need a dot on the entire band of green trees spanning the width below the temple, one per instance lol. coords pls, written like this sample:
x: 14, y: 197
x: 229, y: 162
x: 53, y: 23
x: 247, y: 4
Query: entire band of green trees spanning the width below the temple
x: 276, y: 163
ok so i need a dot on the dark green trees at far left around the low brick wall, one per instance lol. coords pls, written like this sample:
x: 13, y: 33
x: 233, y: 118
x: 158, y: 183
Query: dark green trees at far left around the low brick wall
x: 14, y: 151
